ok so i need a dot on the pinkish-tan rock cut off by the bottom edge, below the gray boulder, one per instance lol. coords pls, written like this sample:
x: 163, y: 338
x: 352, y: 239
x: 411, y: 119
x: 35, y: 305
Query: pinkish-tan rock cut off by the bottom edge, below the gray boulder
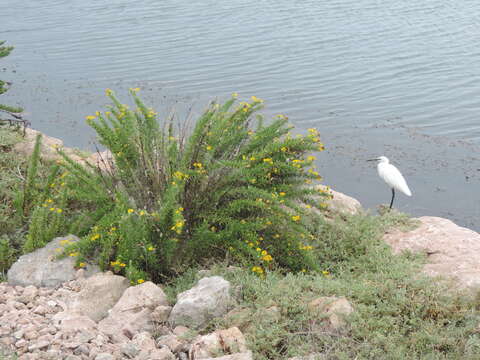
x: 220, y: 342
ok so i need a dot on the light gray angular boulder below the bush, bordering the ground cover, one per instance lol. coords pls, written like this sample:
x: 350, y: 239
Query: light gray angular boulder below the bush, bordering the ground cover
x: 210, y: 298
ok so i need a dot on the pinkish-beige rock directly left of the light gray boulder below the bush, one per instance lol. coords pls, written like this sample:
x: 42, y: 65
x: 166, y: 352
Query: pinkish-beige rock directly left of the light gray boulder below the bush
x: 133, y: 311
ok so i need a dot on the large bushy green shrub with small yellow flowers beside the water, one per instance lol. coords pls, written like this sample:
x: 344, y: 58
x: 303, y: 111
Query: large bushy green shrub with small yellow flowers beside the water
x: 234, y: 188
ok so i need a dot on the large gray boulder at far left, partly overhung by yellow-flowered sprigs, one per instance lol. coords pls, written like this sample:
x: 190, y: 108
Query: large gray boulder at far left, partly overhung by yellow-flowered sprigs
x: 41, y: 268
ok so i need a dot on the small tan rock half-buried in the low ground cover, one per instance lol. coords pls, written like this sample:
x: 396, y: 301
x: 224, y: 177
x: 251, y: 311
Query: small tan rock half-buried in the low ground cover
x: 331, y: 311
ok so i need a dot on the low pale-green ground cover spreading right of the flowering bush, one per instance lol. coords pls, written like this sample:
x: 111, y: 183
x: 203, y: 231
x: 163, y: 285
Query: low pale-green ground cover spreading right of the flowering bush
x: 399, y: 313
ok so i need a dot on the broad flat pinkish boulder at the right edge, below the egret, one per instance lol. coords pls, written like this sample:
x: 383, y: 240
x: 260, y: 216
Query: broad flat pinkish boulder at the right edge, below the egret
x: 453, y: 251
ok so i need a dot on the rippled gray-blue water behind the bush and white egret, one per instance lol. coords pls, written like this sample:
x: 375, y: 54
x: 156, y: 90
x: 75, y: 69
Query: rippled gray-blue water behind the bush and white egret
x: 394, y: 78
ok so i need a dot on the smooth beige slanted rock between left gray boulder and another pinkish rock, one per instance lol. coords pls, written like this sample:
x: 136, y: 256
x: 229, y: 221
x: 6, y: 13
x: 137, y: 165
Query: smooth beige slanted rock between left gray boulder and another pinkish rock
x: 99, y: 294
